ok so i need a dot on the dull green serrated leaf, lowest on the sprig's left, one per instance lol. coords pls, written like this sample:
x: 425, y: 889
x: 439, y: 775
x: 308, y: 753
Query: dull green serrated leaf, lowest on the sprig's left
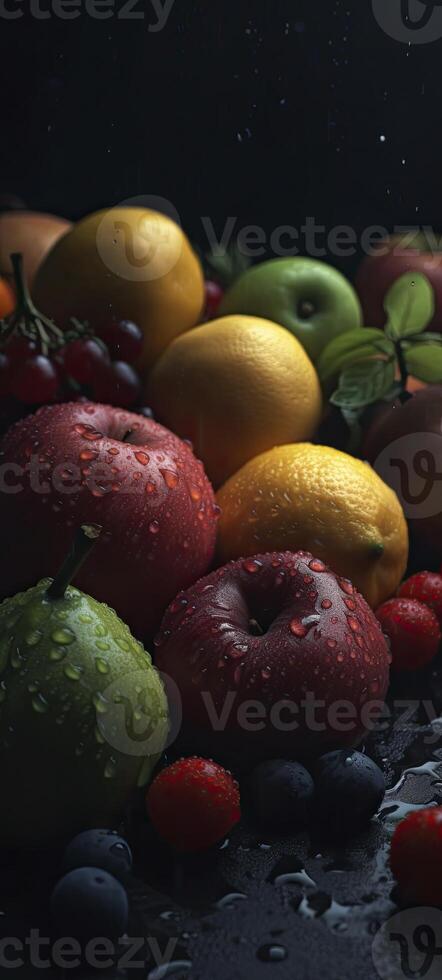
x: 364, y: 384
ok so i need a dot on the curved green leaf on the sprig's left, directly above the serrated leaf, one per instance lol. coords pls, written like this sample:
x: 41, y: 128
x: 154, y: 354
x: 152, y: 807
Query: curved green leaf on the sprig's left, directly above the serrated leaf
x: 350, y: 347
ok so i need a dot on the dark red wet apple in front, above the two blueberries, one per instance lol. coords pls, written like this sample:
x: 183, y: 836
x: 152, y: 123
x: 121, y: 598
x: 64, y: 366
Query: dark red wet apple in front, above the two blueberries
x: 253, y: 645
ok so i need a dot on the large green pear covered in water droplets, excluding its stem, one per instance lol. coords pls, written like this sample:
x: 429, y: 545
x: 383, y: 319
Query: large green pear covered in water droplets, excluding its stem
x: 70, y: 746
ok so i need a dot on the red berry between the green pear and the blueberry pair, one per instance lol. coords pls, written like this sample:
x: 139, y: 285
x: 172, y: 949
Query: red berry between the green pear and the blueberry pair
x: 193, y: 804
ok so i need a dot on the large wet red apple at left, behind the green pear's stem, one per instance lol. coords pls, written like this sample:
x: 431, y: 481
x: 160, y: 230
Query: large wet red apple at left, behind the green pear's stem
x: 82, y: 462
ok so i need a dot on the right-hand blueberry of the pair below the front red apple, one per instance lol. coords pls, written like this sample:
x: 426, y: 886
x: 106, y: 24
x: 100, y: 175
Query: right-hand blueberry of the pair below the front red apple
x: 349, y: 790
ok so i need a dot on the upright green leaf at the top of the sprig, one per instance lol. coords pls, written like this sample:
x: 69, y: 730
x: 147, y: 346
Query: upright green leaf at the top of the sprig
x: 409, y: 305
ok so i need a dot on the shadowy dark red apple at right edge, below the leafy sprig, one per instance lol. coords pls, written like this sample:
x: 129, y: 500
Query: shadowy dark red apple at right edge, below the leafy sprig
x: 404, y: 444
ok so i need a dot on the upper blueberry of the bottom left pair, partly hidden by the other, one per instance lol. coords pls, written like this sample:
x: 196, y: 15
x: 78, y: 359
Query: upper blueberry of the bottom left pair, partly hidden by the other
x: 98, y: 849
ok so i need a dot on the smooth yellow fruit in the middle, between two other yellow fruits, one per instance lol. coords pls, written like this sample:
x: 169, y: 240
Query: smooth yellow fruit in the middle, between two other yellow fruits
x: 235, y: 387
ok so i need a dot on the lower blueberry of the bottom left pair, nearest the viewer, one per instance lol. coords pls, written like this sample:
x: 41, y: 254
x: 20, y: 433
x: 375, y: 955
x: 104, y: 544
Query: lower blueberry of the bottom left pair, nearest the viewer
x: 88, y: 903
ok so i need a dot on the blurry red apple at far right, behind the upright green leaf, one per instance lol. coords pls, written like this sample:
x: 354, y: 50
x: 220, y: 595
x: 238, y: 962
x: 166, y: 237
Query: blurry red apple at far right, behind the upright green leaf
x: 391, y: 259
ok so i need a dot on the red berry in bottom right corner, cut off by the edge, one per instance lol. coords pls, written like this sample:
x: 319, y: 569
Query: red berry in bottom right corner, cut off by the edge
x: 416, y: 857
